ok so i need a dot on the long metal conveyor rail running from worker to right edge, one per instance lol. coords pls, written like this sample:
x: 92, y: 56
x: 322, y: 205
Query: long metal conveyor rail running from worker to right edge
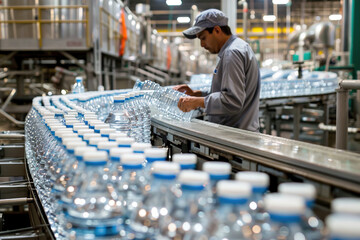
x: 334, y: 167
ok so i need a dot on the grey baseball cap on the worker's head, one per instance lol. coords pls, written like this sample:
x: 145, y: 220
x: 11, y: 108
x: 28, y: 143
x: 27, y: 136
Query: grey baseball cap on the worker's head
x: 206, y: 19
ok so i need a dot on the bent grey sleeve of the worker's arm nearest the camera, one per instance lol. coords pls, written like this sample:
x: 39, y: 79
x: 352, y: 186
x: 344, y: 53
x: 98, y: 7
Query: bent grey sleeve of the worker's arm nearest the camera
x: 230, y: 99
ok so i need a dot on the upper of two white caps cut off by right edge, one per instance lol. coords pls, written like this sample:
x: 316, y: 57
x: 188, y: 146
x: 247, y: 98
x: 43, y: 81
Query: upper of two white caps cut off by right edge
x: 346, y: 205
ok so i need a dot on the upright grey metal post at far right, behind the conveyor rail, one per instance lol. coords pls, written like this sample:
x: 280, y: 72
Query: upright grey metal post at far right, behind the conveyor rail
x: 341, y: 118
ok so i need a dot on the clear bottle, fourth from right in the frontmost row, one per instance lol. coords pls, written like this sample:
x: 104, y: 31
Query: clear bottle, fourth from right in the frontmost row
x: 188, y: 218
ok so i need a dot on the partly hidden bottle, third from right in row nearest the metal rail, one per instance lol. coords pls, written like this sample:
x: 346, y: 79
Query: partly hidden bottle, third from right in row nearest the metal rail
x: 259, y: 183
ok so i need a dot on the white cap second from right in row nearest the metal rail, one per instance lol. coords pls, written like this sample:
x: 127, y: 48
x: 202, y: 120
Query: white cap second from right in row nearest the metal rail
x: 305, y: 190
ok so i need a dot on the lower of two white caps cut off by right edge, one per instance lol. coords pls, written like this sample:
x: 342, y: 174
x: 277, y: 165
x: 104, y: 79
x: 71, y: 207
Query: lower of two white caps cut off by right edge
x: 343, y: 226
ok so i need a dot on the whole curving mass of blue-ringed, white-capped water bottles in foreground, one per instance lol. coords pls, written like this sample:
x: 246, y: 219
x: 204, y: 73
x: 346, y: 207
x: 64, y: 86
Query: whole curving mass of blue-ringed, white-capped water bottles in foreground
x: 96, y: 182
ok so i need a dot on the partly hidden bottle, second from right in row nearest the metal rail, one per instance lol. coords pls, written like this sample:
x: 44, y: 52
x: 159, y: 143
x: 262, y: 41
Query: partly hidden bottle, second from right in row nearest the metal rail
x: 311, y: 224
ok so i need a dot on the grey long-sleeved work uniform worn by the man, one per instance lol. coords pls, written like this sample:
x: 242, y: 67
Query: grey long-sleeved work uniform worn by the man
x: 234, y: 96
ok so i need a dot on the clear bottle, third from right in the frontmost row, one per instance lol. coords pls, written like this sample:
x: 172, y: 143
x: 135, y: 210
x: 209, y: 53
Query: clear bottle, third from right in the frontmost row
x: 232, y: 219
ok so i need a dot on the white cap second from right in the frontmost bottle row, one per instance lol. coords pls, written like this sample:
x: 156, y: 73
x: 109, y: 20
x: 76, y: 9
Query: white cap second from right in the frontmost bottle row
x: 284, y: 204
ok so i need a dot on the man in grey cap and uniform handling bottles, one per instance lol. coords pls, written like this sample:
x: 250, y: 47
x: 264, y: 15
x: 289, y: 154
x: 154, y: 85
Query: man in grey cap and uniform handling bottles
x: 234, y: 96
